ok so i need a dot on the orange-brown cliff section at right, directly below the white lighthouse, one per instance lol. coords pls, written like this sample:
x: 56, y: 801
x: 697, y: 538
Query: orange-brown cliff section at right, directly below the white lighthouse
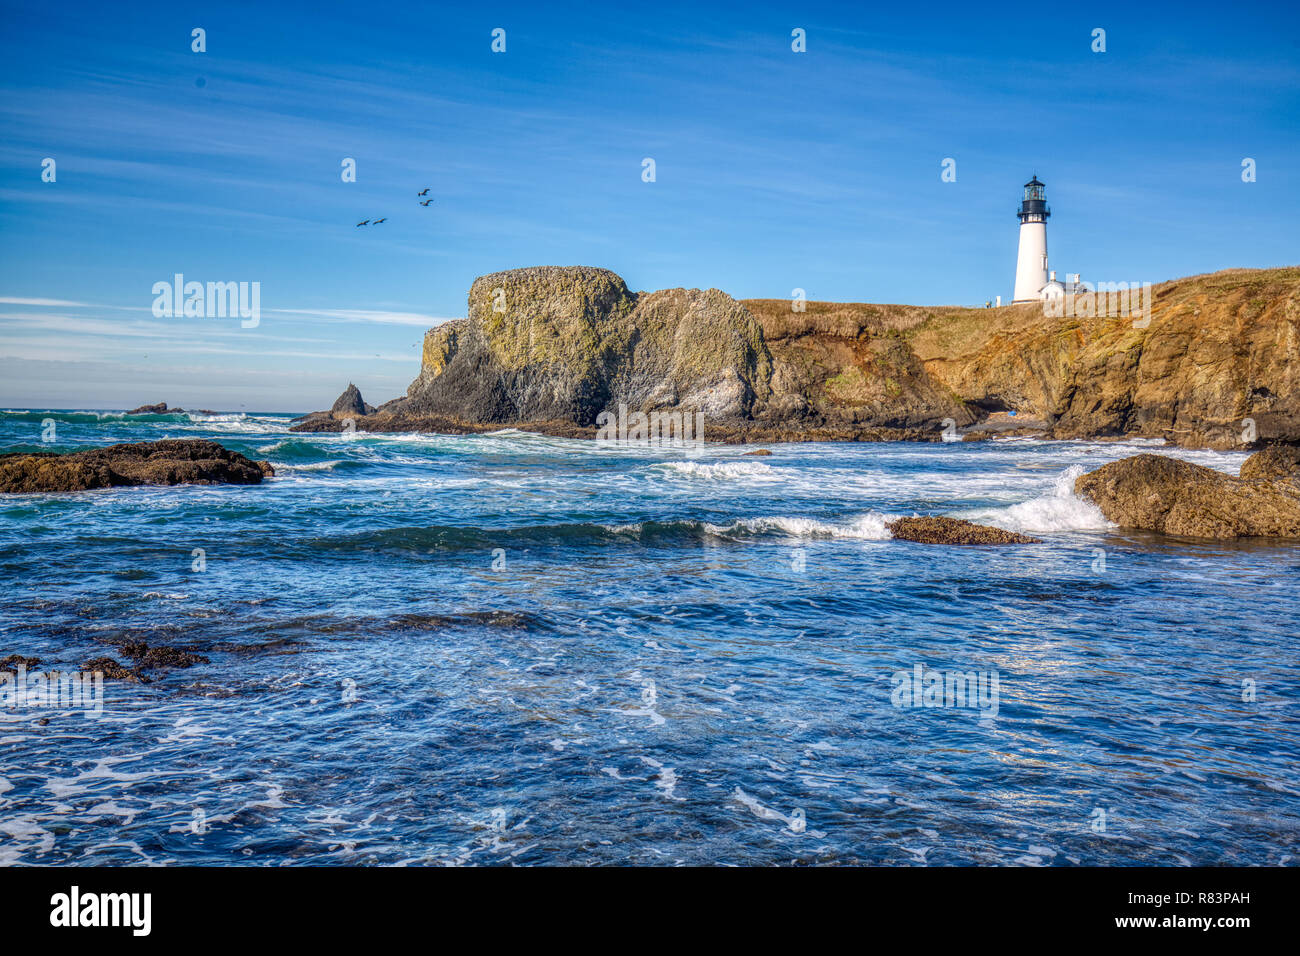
x: 1216, y: 364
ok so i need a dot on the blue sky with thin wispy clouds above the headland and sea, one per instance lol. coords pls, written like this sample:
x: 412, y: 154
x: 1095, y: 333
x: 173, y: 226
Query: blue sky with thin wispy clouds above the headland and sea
x: 774, y: 170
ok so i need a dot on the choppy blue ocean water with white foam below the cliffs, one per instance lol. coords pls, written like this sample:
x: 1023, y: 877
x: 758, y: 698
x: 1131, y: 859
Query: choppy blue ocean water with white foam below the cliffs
x: 519, y: 650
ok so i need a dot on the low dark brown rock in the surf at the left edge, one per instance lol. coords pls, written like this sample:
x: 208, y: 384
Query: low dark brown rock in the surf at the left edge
x: 168, y: 462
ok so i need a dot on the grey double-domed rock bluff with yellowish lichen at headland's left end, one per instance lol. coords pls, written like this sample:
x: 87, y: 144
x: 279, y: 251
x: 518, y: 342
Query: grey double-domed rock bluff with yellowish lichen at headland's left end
x: 565, y: 344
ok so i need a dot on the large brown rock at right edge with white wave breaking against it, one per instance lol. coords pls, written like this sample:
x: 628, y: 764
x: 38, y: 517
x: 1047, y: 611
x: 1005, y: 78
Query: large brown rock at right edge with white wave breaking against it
x: 1176, y: 498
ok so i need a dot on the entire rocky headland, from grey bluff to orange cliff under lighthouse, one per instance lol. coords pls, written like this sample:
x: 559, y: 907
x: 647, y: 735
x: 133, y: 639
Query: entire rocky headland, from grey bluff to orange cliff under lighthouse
x: 552, y: 348
